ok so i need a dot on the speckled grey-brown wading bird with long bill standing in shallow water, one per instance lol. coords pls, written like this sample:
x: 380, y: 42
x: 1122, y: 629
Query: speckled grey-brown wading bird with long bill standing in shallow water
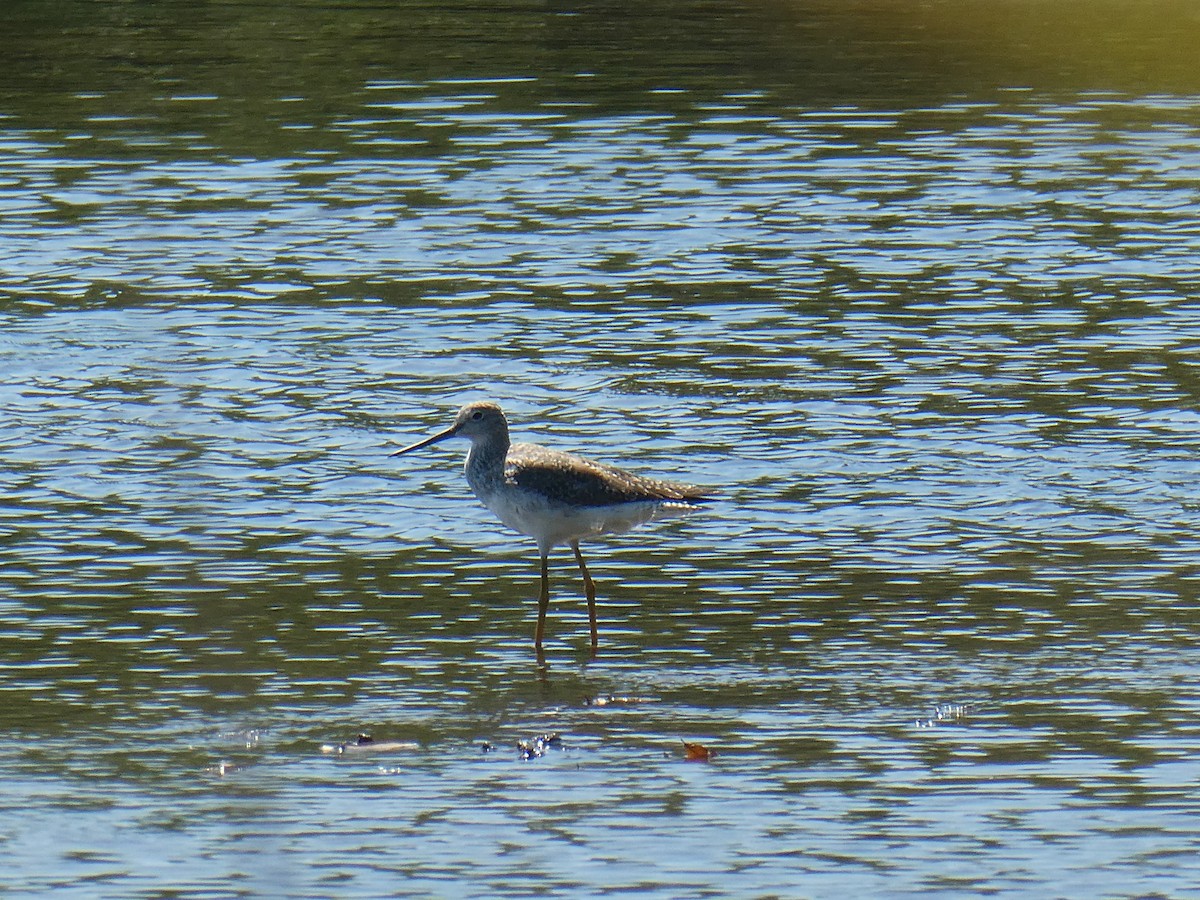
x: 556, y: 497
